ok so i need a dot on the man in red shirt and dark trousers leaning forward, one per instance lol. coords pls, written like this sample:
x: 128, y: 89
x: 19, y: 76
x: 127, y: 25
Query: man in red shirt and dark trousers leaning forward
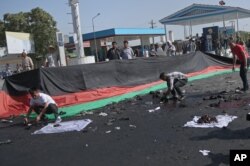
x: 241, y: 54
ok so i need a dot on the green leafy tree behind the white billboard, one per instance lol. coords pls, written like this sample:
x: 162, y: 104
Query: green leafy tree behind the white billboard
x: 37, y: 22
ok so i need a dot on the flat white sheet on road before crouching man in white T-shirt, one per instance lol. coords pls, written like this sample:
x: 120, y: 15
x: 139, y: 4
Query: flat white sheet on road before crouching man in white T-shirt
x: 76, y: 125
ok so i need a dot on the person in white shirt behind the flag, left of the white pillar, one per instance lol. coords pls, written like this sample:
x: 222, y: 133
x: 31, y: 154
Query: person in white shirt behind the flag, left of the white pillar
x: 52, y: 58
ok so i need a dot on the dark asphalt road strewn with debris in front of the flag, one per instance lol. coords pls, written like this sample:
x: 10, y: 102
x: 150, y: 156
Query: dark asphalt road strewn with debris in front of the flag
x: 144, y: 139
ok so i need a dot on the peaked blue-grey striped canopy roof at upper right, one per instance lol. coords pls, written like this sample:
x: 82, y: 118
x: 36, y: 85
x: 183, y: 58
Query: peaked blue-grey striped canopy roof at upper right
x: 198, y: 14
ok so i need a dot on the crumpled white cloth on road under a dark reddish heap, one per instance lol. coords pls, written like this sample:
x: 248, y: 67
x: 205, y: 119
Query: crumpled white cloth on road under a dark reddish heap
x: 223, y: 121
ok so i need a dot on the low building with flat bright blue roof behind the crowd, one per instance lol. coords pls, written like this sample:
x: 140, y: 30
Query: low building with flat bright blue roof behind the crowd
x: 137, y: 37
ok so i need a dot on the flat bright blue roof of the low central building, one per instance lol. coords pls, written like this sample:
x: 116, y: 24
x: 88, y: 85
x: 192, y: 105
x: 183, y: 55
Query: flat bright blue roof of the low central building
x: 121, y: 32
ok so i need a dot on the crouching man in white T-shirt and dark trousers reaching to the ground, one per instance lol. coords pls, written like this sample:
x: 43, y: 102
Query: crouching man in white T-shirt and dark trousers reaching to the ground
x: 42, y: 104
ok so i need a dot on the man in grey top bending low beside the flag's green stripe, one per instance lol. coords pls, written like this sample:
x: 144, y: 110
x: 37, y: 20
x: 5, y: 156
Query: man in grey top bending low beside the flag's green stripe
x: 174, y: 80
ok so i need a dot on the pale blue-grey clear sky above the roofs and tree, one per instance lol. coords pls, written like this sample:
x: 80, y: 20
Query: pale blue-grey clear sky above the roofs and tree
x: 116, y: 13
